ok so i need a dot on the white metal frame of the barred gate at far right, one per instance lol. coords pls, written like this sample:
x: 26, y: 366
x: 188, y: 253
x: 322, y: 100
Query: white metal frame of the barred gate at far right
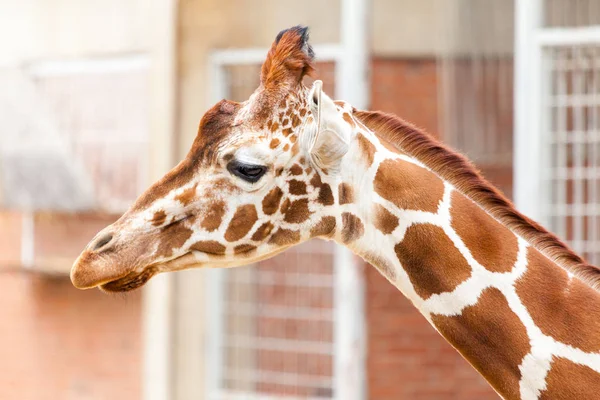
x: 531, y: 41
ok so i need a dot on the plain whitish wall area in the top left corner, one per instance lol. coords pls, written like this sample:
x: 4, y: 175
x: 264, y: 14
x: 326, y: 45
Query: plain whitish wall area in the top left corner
x: 36, y: 29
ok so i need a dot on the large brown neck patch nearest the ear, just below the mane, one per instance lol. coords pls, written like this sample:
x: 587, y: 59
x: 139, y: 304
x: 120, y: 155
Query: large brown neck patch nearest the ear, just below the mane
x: 408, y: 186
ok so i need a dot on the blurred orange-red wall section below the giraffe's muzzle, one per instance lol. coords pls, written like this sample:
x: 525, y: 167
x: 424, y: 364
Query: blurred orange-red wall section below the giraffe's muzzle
x: 61, y: 343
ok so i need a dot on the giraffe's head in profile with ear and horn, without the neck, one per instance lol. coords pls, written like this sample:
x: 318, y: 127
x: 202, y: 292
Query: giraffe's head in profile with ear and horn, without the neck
x: 257, y: 180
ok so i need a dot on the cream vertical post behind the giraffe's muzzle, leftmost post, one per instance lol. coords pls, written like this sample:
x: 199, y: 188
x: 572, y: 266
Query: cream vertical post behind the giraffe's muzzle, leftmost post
x: 158, y: 296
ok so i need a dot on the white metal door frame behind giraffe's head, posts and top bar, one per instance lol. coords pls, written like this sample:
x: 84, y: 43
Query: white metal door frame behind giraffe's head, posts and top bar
x: 351, y: 59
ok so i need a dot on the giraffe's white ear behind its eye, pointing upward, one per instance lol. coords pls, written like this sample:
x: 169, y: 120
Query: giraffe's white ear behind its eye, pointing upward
x: 331, y: 135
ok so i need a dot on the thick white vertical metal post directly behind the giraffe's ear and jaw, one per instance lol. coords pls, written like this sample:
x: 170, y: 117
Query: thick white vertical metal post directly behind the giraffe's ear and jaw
x: 352, y: 85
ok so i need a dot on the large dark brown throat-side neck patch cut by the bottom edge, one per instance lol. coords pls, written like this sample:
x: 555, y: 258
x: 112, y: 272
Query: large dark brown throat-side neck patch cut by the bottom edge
x: 492, y: 338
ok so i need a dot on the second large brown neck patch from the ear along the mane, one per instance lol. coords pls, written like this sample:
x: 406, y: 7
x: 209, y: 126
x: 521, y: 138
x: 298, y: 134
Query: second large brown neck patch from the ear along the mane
x: 491, y: 244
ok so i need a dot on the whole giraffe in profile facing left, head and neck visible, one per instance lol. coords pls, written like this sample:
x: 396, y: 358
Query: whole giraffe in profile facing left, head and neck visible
x: 290, y: 164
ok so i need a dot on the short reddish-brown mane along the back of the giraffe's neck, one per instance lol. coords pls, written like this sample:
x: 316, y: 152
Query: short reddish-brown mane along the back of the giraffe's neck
x: 458, y: 171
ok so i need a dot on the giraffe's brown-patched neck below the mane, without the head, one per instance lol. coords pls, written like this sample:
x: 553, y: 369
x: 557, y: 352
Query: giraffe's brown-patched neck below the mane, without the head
x: 520, y: 319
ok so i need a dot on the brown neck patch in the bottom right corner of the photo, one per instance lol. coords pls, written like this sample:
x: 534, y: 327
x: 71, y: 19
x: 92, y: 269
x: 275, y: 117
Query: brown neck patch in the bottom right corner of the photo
x: 568, y: 380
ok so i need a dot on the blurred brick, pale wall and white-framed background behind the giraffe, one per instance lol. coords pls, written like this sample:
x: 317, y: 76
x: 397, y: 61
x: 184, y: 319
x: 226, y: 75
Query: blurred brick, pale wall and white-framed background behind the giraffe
x: 98, y: 98
